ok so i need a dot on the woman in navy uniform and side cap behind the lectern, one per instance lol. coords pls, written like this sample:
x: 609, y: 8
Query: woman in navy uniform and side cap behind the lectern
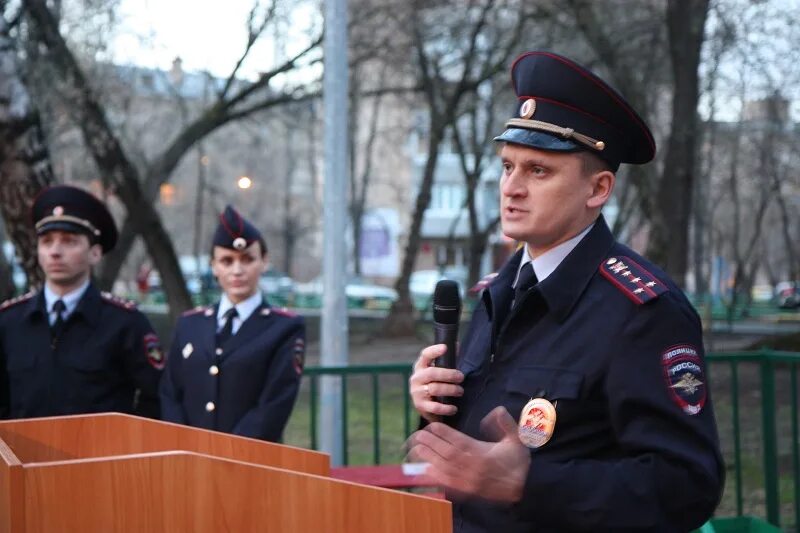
x: 236, y: 366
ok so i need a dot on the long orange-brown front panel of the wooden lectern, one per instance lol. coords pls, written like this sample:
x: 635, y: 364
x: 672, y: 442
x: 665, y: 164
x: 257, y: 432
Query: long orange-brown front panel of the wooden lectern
x: 189, y: 492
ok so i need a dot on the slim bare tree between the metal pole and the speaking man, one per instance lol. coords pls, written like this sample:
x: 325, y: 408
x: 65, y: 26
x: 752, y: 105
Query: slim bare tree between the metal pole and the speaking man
x: 452, y: 61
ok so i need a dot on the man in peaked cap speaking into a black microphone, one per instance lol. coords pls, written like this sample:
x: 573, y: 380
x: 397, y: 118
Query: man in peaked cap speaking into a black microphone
x: 582, y: 396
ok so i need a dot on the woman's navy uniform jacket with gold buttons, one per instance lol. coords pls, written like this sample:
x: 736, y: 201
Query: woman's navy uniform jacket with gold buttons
x: 249, y: 388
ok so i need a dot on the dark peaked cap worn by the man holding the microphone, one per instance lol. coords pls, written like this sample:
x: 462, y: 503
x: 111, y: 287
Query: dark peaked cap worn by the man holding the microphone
x: 564, y: 107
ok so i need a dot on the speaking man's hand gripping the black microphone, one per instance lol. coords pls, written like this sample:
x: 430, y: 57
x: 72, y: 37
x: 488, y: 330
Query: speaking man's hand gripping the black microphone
x: 429, y: 382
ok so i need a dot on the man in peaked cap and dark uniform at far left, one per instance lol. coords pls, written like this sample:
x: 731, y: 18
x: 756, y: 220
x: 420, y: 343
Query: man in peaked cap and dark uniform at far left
x: 68, y: 348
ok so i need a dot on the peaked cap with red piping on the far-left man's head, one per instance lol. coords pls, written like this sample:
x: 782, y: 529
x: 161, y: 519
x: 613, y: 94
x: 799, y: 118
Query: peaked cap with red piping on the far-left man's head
x: 67, y: 208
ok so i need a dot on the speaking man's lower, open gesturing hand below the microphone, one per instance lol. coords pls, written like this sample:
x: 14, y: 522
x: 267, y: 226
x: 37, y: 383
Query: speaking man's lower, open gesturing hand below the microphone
x: 466, y: 467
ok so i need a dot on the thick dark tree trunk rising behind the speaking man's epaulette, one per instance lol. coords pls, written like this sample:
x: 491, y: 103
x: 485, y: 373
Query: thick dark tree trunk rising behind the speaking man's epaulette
x: 669, y: 238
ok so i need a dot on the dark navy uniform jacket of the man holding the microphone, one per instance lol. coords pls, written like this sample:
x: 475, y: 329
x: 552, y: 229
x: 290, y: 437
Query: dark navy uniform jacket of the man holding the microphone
x: 624, y: 455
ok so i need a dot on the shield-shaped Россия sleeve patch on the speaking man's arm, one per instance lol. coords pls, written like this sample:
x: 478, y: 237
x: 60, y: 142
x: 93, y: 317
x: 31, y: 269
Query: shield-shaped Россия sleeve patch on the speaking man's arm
x: 684, y: 376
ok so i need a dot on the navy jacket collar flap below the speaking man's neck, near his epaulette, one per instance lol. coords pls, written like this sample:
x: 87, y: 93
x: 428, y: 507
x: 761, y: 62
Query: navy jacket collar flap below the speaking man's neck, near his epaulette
x: 562, y: 289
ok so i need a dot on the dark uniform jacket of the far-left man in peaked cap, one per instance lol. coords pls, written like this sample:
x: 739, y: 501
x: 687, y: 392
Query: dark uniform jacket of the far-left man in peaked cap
x: 107, y: 359
